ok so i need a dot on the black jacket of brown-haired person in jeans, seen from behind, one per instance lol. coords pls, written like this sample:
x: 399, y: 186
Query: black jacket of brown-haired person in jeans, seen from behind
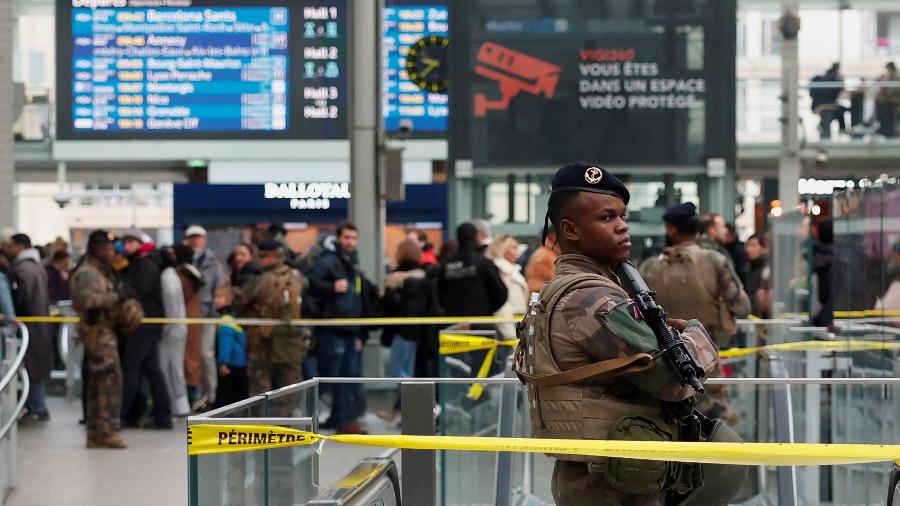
x: 408, y: 293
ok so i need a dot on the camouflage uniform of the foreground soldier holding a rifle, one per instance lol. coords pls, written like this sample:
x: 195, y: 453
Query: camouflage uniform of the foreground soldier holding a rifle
x: 583, y: 331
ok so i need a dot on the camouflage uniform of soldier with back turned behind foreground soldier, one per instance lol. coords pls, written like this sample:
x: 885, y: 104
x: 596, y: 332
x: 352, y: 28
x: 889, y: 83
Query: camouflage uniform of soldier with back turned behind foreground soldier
x: 722, y: 289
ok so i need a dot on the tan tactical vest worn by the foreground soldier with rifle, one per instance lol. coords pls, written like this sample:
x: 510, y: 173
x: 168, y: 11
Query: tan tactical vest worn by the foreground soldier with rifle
x: 574, y: 404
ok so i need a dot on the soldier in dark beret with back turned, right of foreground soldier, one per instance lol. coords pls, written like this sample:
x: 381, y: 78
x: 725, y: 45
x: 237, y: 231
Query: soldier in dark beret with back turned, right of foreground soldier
x: 691, y: 280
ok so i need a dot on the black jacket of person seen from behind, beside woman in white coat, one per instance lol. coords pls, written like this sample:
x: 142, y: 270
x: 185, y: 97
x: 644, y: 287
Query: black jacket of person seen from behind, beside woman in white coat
x: 469, y: 284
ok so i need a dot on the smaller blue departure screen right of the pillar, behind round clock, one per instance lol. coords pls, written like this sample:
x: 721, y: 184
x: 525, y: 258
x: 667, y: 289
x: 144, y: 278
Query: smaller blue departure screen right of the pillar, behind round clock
x: 404, y: 25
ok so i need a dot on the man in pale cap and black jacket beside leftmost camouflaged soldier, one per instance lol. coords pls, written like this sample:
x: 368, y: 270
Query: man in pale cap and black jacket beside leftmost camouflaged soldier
x: 140, y: 349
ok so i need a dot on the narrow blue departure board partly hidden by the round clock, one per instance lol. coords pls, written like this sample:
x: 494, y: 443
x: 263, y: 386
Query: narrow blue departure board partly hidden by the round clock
x: 406, y: 104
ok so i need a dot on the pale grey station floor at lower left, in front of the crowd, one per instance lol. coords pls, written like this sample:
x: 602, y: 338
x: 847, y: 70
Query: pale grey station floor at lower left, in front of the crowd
x: 54, y: 467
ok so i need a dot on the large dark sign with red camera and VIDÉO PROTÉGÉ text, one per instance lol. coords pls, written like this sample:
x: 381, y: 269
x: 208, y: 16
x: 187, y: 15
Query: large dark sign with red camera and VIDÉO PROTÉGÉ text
x: 628, y: 90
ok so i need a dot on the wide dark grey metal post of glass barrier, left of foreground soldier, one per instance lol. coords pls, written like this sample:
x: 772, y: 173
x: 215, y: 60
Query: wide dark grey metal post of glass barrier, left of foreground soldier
x: 418, y: 477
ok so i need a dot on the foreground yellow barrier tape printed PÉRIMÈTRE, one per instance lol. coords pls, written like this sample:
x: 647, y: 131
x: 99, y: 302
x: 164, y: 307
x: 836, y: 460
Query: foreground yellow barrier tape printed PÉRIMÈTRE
x: 210, y: 439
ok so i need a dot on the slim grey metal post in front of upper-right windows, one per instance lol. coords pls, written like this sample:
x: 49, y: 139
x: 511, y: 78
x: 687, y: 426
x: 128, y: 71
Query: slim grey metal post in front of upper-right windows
x: 789, y: 162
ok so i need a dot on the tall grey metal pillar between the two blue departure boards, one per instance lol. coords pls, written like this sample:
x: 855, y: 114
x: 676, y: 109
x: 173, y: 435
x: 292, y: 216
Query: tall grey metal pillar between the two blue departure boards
x: 367, y: 208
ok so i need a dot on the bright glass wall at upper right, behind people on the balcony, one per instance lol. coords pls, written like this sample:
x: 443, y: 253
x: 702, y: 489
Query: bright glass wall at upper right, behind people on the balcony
x: 856, y: 101
